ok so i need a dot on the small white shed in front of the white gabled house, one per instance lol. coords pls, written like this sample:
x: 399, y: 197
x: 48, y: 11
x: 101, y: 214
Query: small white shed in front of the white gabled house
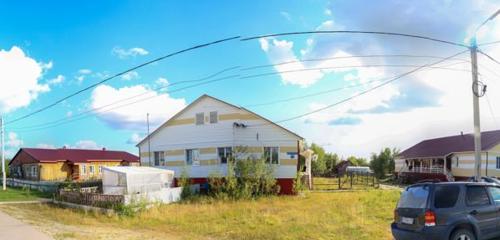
x: 135, y: 180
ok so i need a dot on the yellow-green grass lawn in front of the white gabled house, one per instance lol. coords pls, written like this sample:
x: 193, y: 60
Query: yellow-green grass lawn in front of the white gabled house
x: 317, y: 215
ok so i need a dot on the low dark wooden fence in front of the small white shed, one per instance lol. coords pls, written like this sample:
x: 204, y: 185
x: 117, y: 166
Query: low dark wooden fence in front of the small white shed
x: 91, y: 199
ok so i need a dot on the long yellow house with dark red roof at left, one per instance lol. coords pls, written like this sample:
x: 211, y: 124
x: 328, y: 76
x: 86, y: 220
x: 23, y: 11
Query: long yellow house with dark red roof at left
x: 66, y: 164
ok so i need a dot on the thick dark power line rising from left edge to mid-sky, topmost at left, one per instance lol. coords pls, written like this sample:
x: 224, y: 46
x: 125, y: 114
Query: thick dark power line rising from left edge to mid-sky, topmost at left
x: 119, y: 74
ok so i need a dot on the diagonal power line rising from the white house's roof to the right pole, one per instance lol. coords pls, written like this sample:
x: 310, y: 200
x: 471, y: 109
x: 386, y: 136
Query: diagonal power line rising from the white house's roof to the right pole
x: 363, y: 92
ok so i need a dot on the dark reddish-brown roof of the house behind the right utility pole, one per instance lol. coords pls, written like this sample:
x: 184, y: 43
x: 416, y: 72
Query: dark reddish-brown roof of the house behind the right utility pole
x: 440, y: 147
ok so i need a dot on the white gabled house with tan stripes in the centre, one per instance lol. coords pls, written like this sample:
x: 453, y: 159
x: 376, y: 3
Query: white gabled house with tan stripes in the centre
x: 203, y: 136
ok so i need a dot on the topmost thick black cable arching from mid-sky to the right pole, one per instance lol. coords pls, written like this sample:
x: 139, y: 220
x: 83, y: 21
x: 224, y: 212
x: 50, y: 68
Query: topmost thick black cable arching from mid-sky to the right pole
x: 356, y: 32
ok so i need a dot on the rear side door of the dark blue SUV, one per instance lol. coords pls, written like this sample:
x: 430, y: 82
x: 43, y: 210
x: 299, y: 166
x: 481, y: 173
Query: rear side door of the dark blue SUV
x: 481, y: 210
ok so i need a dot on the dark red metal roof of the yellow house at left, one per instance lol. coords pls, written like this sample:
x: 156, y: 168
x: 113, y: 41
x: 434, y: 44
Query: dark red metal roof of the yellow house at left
x: 78, y: 155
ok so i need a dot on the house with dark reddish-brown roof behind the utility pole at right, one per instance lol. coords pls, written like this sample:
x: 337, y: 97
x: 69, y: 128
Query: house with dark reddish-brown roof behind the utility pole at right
x: 450, y: 158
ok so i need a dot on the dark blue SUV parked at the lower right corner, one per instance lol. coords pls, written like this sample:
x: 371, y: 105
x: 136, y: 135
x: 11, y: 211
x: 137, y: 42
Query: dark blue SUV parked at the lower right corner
x: 448, y: 210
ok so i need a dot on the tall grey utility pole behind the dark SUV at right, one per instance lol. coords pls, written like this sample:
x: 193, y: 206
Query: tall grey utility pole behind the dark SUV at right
x: 475, y: 103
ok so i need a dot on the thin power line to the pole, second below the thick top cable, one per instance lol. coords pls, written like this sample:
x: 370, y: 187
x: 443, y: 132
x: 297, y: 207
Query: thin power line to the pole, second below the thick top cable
x: 347, y: 57
